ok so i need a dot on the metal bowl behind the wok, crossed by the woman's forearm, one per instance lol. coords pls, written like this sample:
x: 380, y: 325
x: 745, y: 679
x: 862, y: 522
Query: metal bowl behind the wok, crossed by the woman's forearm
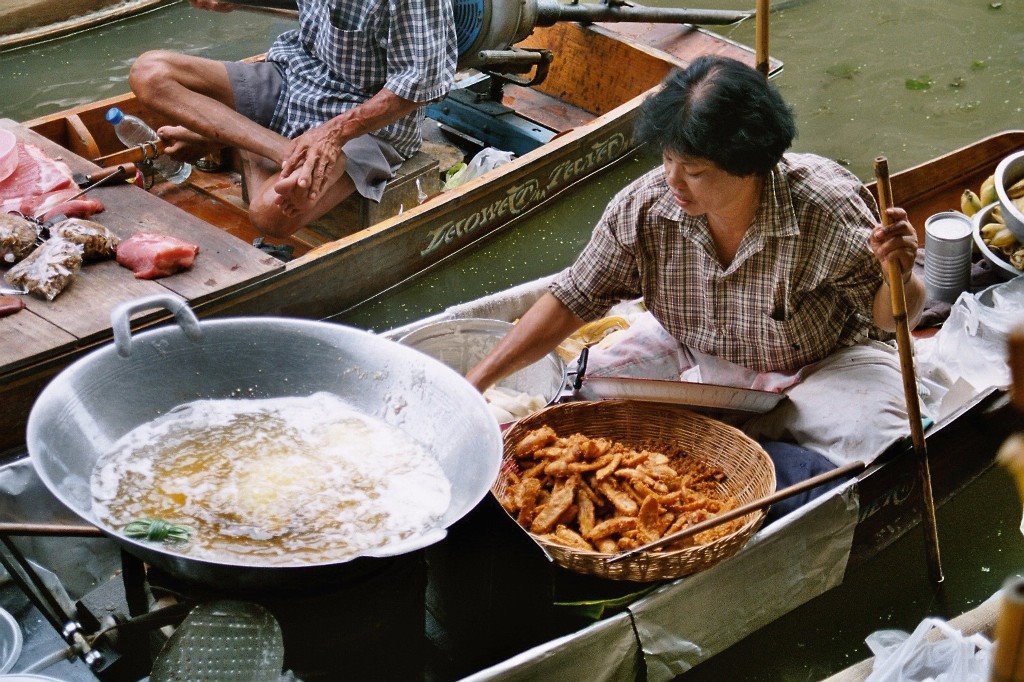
x: 463, y: 344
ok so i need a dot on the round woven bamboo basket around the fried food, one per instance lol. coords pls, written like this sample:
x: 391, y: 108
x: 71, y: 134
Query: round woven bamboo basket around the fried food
x: 750, y: 477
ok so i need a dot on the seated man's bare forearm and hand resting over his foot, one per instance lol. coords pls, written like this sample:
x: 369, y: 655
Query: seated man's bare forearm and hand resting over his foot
x: 316, y: 152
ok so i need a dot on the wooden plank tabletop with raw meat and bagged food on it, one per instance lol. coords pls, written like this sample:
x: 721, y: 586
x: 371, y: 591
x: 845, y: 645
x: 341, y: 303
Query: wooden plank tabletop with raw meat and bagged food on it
x: 83, y: 311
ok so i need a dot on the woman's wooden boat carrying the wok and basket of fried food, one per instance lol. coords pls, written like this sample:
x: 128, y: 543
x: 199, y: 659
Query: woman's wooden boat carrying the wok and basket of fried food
x: 490, y: 593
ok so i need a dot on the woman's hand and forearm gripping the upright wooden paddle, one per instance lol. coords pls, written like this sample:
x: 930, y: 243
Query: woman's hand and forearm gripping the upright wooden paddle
x: 899, y: 241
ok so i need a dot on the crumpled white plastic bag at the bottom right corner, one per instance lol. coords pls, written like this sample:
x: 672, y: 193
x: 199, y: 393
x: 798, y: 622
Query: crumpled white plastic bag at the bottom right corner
x: 953, y: 658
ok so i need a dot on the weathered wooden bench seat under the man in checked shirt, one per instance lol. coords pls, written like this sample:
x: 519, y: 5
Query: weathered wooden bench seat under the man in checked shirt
x: 417, y: 179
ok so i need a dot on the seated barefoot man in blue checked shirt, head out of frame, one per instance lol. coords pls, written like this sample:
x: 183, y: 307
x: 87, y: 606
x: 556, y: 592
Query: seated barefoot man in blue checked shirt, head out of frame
x: 335, y: 109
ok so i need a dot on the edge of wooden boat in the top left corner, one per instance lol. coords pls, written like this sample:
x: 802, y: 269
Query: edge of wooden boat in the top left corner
x: 26, y: 24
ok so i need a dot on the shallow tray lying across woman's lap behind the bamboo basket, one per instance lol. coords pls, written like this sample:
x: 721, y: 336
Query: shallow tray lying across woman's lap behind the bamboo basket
x: 685, y: 393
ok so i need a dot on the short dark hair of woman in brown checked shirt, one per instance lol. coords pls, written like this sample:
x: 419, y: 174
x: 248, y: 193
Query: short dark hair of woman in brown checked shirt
x: 723, y: 111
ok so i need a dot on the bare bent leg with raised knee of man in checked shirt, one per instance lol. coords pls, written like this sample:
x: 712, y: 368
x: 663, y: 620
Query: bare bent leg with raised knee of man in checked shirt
x: 196, y: 94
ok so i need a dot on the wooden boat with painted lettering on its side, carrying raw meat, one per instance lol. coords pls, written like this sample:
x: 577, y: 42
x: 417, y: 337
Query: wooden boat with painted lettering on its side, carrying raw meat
x: 601, y: 76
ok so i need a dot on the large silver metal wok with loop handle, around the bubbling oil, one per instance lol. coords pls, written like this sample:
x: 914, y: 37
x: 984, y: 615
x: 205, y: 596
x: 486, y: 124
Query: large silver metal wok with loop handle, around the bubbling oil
x: 114, y: 390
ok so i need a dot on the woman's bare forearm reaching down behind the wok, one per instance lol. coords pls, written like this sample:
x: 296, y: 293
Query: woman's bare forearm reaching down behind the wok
x: 545, y: 326
